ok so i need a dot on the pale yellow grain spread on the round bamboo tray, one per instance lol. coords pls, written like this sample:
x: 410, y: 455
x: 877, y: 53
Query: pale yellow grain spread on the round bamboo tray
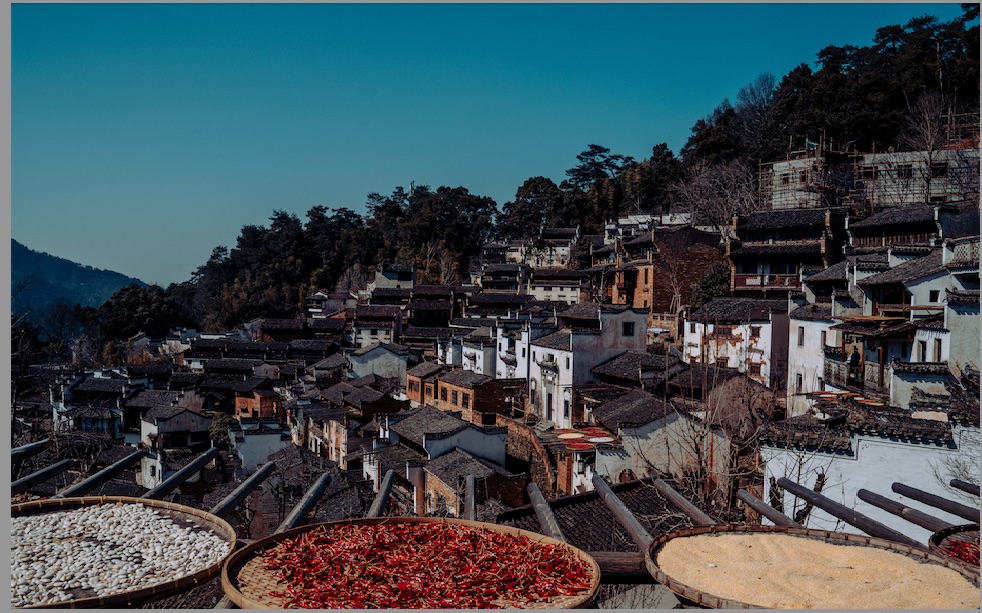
x: 782, y: 571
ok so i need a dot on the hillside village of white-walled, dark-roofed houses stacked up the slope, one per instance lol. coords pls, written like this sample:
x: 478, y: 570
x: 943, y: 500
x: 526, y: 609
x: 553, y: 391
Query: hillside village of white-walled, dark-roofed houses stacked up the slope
x: 843, y: 355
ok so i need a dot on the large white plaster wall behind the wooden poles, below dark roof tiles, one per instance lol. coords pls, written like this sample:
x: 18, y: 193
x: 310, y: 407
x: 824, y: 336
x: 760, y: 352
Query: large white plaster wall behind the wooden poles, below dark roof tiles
x: 876, y: 465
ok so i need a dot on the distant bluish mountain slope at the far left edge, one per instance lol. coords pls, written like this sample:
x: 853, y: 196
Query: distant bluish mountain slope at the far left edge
x: 38, y: 280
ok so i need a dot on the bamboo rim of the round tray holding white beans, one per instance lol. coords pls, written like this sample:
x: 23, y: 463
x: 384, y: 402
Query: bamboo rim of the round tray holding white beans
x: 184, y: 515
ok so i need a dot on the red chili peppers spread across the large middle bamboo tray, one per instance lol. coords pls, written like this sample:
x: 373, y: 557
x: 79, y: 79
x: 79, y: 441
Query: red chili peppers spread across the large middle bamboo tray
x: 426, y: 565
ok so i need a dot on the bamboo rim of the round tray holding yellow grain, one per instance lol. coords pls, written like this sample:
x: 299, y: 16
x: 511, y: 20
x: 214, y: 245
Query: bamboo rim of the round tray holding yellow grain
x: 712, y: 601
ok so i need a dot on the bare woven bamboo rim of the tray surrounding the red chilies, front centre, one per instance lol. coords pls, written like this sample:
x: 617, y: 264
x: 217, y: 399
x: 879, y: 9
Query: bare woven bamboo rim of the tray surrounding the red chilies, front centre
x: 247, y: 583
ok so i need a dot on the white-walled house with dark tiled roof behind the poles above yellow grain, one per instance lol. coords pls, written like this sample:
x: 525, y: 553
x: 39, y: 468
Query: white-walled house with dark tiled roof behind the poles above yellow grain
x: 871, y: 448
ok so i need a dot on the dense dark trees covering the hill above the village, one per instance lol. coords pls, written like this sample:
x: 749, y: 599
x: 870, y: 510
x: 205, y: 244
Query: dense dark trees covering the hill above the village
x: 862, y: 97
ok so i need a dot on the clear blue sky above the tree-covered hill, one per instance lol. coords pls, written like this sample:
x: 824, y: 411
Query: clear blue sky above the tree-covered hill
x: 144, y: 135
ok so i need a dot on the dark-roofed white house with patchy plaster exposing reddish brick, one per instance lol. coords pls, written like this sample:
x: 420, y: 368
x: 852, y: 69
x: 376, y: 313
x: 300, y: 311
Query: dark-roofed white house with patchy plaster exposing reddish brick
x: 748, y: 334
